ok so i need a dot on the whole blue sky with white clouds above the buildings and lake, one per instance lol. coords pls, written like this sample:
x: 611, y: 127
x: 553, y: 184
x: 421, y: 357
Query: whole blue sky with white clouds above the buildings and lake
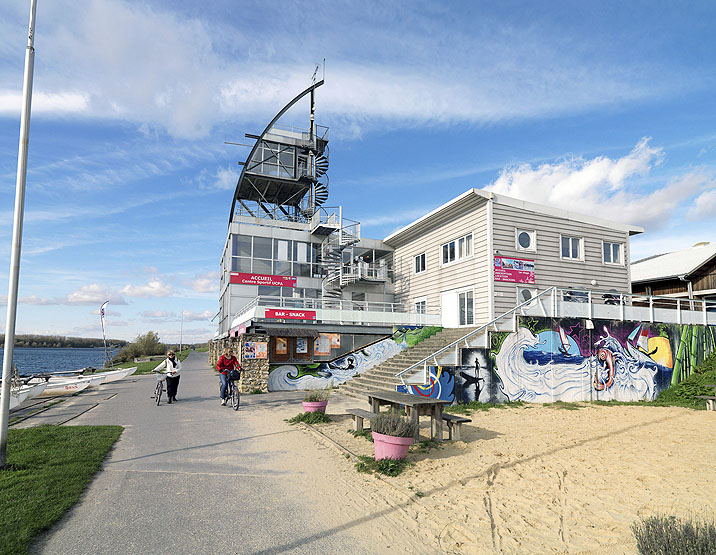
x: 605, y: 108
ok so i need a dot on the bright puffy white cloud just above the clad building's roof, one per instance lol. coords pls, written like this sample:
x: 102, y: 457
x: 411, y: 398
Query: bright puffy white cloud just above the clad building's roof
x: 603, y: 186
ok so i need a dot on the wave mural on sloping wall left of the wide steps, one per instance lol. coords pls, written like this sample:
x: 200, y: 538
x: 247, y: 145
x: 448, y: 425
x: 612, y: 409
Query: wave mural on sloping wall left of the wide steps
x: 288, y: 377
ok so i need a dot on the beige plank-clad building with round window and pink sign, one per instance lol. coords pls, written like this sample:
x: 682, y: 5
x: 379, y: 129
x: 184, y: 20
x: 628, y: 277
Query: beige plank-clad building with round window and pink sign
x: 482, y: 253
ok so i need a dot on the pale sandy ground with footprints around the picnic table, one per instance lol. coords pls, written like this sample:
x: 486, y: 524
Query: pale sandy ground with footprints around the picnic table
x: 532, y: 479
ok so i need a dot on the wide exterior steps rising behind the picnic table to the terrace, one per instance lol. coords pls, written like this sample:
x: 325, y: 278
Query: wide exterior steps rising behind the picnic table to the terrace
x: 382, y: 377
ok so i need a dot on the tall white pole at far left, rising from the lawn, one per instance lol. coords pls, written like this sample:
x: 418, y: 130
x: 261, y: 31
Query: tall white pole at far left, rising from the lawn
x: 17, y: 234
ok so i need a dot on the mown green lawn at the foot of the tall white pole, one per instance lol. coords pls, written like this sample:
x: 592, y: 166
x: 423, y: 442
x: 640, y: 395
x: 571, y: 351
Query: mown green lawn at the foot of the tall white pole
x: 48, y: 468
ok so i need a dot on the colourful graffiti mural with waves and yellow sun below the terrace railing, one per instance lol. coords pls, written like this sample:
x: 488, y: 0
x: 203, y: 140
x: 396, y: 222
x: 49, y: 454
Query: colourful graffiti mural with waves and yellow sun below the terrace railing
x: 580, y: 360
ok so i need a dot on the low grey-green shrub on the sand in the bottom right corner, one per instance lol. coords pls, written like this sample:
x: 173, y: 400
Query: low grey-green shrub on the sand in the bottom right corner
x: 670, y: 535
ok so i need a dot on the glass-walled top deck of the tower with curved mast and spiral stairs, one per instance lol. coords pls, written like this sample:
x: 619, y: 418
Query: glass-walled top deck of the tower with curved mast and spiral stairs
x: 284, y: 175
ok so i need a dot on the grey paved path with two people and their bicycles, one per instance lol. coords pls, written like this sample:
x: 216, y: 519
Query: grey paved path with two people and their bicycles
x: 196, y: 477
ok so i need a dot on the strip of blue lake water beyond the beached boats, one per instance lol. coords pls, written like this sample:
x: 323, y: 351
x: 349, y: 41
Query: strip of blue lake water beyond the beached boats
x: 33, y: 361
